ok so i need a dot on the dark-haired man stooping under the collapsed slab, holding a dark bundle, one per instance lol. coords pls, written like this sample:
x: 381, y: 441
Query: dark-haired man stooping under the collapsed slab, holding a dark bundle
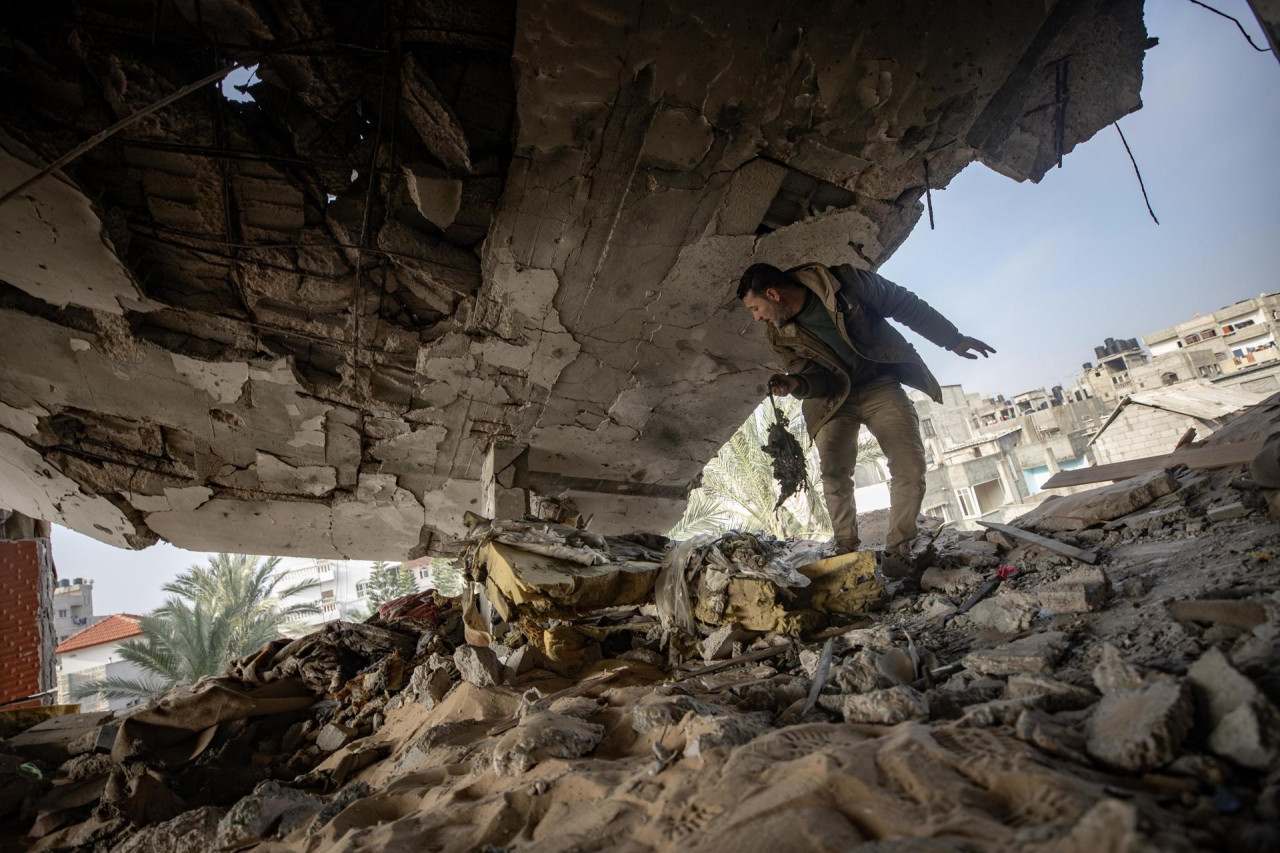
x: 848, y: 366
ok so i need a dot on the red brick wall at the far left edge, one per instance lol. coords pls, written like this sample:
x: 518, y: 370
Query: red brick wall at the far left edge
x: 28, y: 663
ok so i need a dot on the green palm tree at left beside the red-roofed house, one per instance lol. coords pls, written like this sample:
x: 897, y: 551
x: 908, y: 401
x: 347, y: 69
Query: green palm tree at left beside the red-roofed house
x: 214, y: 614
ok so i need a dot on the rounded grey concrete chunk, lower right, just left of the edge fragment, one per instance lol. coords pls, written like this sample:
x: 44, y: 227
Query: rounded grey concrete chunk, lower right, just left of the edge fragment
x: 1141, y: 729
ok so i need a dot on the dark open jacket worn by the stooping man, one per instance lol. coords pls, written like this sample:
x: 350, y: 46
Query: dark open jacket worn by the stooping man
x: 860, y: 304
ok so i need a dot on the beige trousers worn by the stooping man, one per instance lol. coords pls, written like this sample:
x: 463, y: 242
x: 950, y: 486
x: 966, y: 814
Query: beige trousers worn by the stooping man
x: 885, y: 409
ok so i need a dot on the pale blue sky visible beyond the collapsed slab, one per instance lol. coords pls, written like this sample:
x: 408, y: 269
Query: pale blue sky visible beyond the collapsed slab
x: 1041, y: 272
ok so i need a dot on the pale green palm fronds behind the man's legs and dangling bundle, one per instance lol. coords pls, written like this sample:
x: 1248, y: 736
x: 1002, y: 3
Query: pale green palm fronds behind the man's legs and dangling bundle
x: 739, y: 491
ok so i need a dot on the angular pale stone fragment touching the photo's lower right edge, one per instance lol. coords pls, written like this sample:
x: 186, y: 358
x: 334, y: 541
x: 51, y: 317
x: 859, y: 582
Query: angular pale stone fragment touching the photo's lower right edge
x: 1242, y: 723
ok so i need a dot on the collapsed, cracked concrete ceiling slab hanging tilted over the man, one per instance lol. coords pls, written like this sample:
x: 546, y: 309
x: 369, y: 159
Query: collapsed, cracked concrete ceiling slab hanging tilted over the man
x: 295, y: 325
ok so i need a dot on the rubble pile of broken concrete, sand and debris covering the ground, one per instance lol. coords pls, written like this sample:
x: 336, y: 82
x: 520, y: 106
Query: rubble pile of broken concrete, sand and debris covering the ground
x: 629, y: 694
